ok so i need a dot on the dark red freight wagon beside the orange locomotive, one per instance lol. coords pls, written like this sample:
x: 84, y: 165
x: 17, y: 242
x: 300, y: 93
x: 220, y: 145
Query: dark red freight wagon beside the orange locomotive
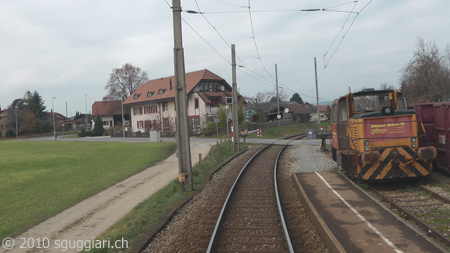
x: 436, y: 122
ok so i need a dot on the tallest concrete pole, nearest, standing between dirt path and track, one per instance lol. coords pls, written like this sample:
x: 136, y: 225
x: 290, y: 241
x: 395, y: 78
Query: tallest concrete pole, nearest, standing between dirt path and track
x: 184, y: 150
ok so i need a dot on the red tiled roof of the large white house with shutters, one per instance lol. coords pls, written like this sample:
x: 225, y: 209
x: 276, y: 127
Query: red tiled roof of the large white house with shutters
x: 168, y: 84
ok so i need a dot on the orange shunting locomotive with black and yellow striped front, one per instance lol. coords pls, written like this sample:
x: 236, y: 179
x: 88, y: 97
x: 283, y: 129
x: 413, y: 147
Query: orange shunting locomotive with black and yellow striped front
x: 375, y: 137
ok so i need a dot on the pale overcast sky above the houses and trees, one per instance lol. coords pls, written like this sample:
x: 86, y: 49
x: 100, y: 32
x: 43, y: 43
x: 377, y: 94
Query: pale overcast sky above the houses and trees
x: 67, y: 49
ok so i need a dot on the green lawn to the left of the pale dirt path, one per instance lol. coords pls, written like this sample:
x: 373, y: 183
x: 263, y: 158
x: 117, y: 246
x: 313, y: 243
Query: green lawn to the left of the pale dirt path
x: 39, y: 179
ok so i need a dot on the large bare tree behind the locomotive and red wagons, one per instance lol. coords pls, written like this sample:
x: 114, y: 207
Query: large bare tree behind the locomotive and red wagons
x: 426, y: 78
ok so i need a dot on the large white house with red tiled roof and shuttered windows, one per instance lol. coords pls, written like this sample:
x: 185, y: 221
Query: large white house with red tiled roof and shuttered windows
x: 153, y: 104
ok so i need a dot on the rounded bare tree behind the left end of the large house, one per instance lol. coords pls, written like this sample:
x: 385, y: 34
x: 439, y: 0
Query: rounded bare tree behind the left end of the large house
x: 124, y: 81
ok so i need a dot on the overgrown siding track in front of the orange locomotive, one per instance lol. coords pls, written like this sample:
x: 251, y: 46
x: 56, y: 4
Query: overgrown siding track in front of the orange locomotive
x: 428, y: 209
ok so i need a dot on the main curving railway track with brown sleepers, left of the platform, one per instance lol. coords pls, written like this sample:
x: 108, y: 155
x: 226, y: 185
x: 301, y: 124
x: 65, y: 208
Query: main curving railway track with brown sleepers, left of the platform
x: 251, y: 219
